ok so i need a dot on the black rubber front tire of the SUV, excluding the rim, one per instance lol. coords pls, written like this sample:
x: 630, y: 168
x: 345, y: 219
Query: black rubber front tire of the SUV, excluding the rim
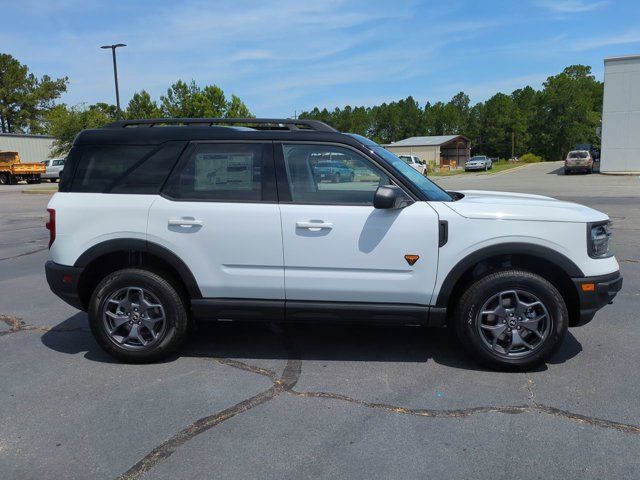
x: 476, y: 296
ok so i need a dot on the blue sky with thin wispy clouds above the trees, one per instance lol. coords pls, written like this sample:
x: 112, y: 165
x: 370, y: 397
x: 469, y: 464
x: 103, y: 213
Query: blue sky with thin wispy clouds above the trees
x: 284, y: 56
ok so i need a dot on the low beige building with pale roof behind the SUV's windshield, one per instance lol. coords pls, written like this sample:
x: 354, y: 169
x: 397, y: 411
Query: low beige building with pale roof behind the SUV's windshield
x: 443, y: 149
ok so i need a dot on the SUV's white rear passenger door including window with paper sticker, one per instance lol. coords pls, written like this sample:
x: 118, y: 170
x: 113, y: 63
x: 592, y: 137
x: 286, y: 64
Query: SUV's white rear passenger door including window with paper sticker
x: 218, y: 212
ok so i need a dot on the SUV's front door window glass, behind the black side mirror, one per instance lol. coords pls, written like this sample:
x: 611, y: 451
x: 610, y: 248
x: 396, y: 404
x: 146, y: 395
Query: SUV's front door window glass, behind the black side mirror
x: 327, y: 174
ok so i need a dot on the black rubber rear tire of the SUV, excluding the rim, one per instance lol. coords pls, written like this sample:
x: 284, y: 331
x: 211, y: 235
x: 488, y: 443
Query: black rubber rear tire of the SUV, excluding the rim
x: 172, y: 304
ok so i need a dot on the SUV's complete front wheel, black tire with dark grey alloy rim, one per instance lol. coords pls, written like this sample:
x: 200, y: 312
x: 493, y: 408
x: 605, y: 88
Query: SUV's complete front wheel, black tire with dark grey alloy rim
x: 495, y: 339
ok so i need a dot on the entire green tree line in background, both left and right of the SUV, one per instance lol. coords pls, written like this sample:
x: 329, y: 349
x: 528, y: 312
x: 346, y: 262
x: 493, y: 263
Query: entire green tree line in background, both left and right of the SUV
x: 547, y: 122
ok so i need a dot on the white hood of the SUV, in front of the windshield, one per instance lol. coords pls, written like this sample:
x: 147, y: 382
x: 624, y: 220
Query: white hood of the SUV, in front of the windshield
x: 522, y: 206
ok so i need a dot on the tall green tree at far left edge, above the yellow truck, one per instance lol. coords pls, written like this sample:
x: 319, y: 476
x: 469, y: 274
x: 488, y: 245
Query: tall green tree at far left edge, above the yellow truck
x: 24, y: 98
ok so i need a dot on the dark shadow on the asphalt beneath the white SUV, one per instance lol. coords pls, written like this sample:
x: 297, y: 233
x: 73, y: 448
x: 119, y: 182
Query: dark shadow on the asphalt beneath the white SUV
x: 331, y: 342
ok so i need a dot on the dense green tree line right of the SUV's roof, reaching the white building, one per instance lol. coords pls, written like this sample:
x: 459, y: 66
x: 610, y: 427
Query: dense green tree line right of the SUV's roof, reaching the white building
x: 547, y: 122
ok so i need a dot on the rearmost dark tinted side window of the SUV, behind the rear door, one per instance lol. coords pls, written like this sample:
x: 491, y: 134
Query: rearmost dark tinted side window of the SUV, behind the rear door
x: 100, y: 165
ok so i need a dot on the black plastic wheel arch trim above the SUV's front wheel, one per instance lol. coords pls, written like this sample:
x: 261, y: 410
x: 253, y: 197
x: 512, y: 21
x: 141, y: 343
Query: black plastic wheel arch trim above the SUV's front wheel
x: 548, y: 263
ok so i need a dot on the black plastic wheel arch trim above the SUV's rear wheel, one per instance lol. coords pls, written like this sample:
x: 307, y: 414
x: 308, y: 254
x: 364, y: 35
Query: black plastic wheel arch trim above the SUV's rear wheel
x: 111, y: 255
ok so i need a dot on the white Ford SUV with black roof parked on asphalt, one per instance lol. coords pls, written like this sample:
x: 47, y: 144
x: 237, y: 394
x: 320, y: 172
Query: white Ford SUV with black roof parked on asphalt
x: 155, y: 227
